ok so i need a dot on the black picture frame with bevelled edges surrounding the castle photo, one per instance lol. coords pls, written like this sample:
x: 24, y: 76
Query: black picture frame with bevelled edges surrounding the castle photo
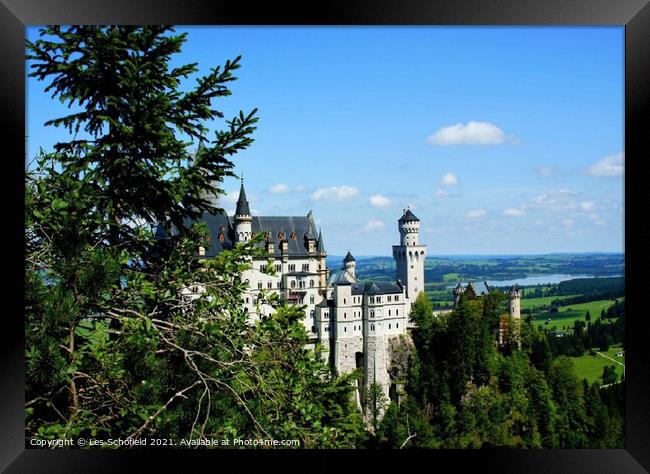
x: 633, y: 14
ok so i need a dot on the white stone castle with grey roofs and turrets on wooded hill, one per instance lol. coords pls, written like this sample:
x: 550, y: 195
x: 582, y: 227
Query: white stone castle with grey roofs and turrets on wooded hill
x: 355, y: 322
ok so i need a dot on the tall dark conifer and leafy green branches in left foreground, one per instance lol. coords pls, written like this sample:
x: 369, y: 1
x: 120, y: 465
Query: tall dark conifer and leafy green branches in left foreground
x: 132, y: 336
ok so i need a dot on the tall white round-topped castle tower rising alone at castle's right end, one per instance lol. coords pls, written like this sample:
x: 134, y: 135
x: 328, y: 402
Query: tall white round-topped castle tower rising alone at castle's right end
x: 409, y: 255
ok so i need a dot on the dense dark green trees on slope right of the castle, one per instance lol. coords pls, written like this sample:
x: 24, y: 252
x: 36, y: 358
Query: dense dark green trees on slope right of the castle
x: 463, y: 393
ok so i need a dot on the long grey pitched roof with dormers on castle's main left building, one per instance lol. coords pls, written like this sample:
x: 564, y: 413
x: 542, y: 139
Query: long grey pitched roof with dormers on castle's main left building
x: 223, y: 225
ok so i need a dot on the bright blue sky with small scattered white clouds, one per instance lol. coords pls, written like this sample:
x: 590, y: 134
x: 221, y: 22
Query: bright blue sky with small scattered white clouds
x: 501, y: 140
